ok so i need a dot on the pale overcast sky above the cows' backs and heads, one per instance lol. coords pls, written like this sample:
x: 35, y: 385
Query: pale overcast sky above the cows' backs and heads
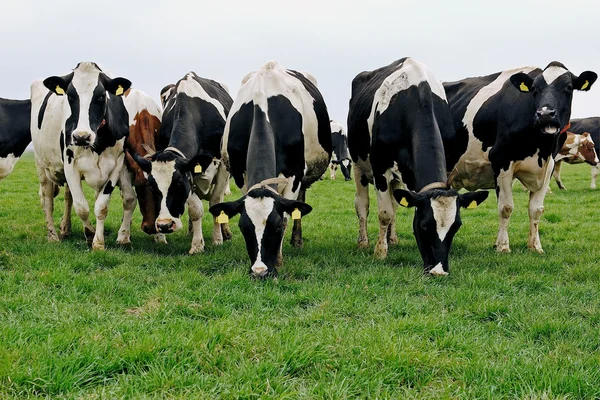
x: 154, y: 43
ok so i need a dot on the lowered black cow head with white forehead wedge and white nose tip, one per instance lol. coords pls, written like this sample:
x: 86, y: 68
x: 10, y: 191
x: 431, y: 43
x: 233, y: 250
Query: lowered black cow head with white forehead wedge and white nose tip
x: 436, y: 221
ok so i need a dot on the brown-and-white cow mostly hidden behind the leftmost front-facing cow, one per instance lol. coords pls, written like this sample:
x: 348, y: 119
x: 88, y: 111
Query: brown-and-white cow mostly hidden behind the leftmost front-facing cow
x: 144, y: 131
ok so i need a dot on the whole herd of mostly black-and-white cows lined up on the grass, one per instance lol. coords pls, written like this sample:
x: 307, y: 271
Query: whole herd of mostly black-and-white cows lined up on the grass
x: 417, y: 140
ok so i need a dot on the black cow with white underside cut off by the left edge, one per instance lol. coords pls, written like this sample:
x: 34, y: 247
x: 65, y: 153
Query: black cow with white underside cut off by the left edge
x: 15, y: 133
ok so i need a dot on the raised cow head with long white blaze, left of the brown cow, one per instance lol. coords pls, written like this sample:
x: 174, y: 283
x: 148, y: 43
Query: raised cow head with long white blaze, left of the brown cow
x: 86, y: 89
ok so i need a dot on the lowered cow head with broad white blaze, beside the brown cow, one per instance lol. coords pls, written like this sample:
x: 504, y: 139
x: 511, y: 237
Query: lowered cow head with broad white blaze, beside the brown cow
x: 170, y: 176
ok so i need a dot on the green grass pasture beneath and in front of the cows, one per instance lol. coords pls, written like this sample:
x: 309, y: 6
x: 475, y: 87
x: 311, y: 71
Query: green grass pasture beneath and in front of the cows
x: 150, y: 321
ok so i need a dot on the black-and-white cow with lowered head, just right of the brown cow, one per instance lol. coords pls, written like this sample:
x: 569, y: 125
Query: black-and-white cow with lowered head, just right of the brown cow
x: 189, y: 169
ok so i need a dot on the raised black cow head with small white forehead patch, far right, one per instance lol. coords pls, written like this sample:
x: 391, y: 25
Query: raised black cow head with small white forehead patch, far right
x: 552, y: 92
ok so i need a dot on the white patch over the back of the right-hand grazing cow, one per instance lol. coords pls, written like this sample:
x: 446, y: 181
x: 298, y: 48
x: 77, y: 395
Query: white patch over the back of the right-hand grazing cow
x: 409, y: 73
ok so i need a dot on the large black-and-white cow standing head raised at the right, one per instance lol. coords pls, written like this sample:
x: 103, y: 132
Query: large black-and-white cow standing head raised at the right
x: 512, y: 124
